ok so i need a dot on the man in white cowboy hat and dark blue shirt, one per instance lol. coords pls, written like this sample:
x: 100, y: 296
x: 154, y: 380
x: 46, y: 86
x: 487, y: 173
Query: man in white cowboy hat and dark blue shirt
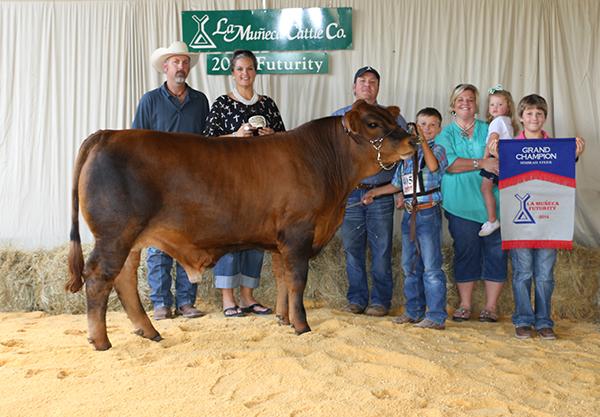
x: 173, y: 107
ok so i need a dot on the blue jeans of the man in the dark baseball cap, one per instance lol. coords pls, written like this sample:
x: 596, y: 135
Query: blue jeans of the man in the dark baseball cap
x: 372, y: 225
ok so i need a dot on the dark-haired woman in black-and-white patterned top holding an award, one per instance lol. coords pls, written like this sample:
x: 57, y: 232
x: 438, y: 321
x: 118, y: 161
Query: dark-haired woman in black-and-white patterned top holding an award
x: 242, y: 112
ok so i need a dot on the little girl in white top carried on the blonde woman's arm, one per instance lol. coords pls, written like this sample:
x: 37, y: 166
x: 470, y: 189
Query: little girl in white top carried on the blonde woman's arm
x: 501, y: 117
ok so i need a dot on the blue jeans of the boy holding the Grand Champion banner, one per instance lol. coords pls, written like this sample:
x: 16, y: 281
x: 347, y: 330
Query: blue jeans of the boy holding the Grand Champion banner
x: 536, y: 264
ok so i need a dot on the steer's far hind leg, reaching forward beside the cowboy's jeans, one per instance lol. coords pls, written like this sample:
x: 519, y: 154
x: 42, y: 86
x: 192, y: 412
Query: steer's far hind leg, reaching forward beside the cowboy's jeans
x: 126, y: 287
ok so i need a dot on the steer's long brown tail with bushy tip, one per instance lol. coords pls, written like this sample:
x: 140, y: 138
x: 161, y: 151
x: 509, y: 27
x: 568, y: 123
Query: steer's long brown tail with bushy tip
x: 76, y: 262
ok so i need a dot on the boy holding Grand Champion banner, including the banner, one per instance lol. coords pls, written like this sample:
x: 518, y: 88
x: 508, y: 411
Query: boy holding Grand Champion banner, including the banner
x: 543, y: 176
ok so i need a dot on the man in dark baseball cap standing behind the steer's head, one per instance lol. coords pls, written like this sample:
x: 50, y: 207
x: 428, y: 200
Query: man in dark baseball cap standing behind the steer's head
x: 369, y: 224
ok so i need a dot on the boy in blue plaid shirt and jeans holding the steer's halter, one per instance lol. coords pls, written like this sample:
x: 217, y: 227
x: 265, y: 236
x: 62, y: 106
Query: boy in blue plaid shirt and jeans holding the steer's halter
x: 424, y: 279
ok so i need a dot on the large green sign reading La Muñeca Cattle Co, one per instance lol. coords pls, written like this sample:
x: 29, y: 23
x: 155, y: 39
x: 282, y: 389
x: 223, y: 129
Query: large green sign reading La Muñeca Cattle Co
x: 268, y: 29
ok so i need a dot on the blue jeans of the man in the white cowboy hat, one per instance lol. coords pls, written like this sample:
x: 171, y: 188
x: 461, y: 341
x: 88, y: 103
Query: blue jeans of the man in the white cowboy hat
x: 159, y: 278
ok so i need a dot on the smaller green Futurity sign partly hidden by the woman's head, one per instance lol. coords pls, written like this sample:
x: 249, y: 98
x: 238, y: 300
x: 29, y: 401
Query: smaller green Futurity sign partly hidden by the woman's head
x: 274, y: 63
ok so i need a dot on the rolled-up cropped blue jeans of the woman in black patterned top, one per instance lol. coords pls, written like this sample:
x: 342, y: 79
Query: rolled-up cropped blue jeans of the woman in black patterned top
x: 239, y: 268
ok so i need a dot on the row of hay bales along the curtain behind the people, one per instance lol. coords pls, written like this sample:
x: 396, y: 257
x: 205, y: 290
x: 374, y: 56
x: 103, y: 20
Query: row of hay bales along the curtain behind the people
x: 35, y: 281
